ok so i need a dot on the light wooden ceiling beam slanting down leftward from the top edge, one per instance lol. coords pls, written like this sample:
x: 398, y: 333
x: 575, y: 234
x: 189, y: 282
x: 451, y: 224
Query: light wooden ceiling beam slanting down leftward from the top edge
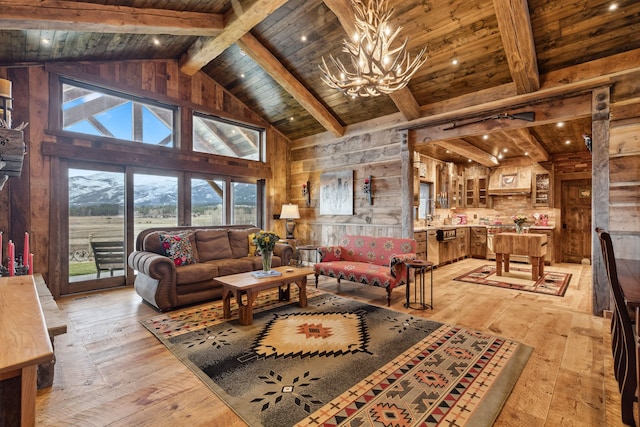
x: 237, y: 23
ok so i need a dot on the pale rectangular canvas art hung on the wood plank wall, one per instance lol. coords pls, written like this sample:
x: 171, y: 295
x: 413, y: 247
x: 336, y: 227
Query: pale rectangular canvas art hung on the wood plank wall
x: 336, y: 193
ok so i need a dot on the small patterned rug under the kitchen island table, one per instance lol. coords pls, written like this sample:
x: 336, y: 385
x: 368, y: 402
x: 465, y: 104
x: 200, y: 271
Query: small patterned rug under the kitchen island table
x: 518, y: 278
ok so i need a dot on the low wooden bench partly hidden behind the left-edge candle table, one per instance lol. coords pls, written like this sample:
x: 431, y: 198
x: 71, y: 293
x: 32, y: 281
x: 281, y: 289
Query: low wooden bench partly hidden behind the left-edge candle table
x: 56, y: 325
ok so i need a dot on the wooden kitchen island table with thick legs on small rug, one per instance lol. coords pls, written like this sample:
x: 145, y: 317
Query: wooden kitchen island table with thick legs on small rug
x: 532, y: 245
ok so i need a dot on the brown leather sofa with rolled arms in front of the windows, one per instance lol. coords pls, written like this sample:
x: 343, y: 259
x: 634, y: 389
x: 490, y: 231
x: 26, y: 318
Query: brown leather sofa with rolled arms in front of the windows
x: 217, y: 251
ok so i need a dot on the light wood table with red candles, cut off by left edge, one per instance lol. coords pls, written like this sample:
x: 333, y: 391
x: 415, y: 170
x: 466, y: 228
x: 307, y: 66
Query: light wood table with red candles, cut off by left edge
x: 25, y: 343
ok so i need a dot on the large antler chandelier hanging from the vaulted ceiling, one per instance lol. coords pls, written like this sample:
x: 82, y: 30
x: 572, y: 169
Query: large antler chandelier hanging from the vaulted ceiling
x: 377, y: 67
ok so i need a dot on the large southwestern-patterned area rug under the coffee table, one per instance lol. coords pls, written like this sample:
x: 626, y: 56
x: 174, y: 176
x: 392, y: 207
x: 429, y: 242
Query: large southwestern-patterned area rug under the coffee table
x: 343, y: 362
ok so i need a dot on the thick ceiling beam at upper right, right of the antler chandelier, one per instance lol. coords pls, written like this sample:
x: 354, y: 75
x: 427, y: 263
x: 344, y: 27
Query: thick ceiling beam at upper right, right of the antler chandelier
x: 517, y: 38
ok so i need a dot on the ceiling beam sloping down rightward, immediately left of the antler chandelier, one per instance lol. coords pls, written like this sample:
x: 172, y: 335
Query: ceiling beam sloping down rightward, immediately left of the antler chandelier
x: 280, y: 74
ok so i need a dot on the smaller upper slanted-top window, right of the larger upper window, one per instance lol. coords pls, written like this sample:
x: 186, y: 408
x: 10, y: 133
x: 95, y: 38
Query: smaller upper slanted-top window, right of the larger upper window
x: 213, y: 135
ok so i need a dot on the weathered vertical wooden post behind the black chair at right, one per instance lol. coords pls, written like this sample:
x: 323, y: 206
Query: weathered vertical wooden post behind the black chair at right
x: 600, y: 195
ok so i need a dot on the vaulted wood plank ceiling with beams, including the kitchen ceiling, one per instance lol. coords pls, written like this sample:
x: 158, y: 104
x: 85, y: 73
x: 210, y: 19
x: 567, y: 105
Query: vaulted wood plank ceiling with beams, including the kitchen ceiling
x: 266, y: 52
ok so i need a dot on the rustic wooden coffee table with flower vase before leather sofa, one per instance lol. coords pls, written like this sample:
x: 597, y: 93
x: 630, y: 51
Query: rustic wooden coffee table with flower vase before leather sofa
x: 249, y: 285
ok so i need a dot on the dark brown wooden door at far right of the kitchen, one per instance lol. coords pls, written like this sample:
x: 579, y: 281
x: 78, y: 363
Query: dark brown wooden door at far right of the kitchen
x: 576, y: 220
